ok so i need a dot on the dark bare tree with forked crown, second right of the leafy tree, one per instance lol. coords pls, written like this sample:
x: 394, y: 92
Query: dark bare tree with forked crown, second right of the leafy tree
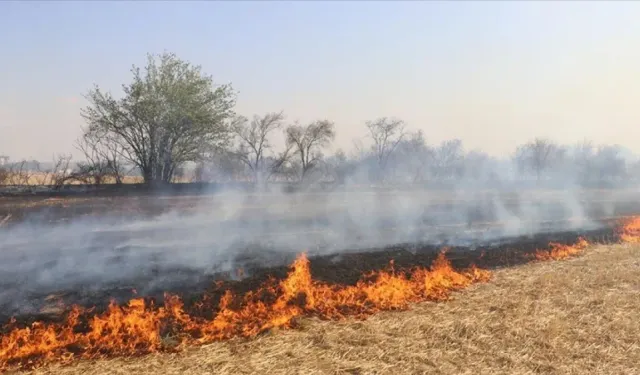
x: 308, y: 141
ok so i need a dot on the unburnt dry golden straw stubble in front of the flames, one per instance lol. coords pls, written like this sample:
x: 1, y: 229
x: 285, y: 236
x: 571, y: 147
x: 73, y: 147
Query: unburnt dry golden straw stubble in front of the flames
x: 580, y: 316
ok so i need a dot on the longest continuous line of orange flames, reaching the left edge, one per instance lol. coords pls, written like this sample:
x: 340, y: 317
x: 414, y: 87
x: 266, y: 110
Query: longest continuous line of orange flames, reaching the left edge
x: 139, y: 327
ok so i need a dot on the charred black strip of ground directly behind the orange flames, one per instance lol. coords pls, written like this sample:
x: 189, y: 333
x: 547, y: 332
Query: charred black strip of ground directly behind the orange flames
x: 340, y: 268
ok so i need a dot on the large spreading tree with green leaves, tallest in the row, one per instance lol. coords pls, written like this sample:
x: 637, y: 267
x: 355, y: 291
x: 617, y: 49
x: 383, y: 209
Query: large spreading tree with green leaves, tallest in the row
x: 171, y: 113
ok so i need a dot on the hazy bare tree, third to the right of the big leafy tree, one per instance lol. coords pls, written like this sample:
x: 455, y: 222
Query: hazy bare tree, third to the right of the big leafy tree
x: 386, y: 134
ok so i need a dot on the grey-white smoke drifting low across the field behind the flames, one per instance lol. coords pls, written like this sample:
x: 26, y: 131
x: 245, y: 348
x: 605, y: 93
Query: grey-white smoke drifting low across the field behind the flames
x: 233, y: 228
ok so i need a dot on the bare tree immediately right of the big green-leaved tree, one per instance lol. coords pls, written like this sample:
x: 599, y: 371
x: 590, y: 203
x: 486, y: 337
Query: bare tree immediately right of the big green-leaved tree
x: 254, y: 148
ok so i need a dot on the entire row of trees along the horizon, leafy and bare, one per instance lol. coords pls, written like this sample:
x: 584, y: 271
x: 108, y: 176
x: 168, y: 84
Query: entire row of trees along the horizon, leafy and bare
x: 172, y: 115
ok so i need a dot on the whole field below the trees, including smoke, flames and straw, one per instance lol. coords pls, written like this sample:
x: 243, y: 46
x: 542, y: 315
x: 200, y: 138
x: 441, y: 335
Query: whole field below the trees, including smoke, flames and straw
x: 126, y: 276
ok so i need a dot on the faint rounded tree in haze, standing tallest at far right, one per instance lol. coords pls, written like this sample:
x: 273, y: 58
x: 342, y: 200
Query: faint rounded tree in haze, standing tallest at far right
x: 538, y: 156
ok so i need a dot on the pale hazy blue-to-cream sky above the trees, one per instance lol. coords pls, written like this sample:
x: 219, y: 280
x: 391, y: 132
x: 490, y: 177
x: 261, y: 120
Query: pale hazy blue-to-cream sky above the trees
x: 493, y: 74
